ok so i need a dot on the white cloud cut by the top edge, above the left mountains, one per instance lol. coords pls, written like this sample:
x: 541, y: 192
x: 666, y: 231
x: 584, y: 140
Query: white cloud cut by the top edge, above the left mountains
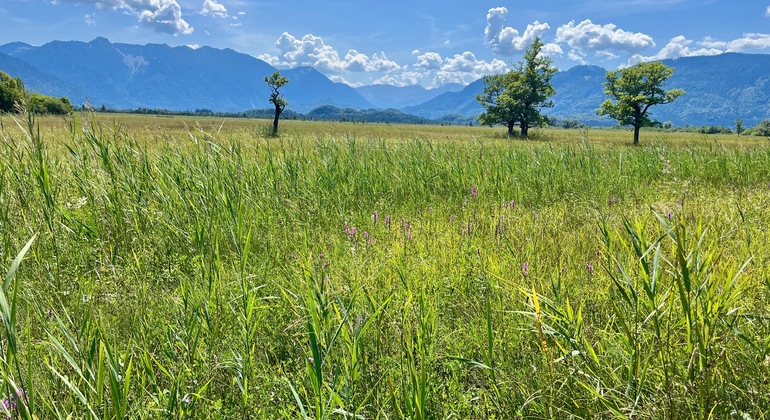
x: 160, y: 15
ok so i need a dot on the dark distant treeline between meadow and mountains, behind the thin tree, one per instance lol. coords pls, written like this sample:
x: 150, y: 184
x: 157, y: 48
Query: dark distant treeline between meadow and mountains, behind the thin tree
x: 322, y: 113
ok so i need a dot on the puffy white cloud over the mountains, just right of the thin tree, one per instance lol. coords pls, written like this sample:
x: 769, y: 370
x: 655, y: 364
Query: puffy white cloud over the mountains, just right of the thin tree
x: 311, y: 50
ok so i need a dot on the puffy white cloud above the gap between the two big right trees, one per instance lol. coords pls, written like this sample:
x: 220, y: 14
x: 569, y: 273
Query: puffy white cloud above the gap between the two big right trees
x: 587, y: 37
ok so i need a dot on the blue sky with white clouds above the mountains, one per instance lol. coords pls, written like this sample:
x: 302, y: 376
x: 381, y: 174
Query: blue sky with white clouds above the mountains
x: 399, y: 42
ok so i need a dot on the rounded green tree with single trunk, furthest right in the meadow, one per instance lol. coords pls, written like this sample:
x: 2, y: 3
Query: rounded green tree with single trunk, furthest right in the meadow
x: 635, y: 90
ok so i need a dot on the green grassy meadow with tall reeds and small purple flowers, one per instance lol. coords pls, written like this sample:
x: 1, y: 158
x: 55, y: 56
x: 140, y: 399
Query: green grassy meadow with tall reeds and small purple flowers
x: 168, y: 268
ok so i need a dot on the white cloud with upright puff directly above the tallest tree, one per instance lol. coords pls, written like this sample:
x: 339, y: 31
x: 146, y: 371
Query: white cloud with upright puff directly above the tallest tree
x: 505, y: 40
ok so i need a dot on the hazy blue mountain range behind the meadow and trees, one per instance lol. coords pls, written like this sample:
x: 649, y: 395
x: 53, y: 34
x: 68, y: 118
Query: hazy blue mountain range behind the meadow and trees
x: 126, y: 76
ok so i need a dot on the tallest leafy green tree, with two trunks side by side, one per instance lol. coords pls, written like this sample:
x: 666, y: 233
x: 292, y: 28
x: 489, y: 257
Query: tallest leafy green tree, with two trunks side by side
x: 517, y: 96
